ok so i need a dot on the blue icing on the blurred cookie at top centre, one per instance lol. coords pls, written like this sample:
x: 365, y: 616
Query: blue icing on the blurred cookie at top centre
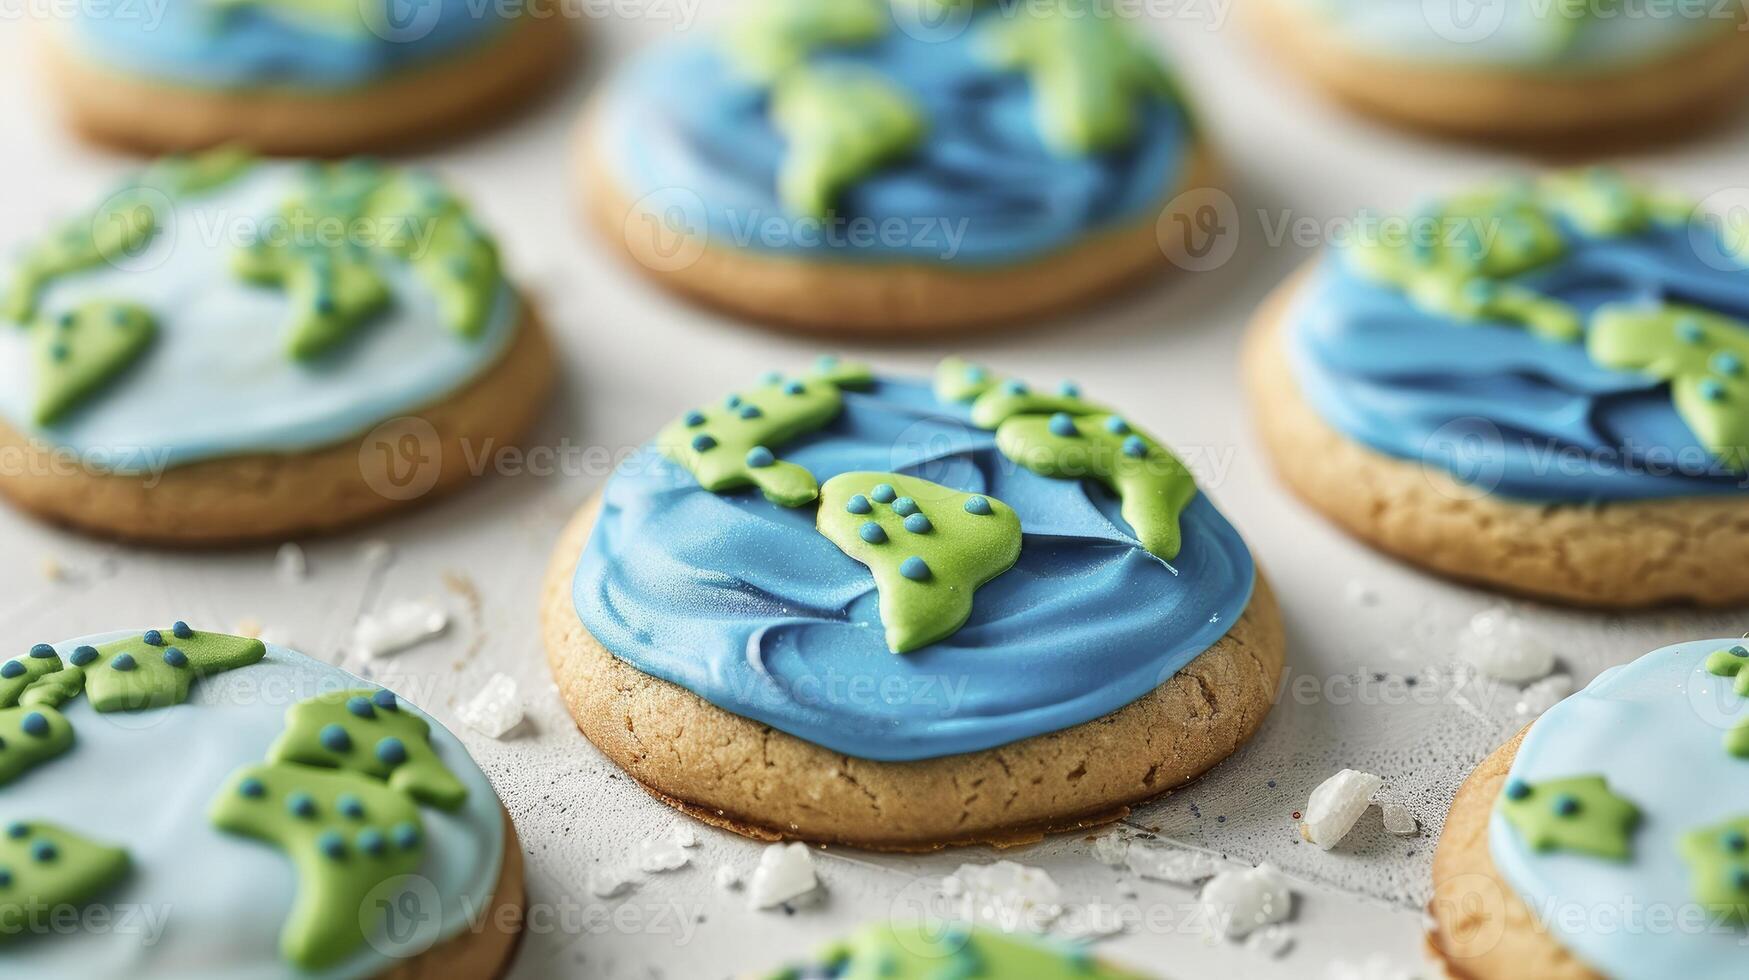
x: 683, y: 123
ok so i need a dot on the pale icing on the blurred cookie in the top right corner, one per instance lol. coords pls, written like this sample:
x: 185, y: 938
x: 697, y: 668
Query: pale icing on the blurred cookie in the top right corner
x: 1516, y: 34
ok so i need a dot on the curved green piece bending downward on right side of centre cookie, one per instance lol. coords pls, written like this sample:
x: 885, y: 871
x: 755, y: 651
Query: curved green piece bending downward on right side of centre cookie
x: 1150, y: 482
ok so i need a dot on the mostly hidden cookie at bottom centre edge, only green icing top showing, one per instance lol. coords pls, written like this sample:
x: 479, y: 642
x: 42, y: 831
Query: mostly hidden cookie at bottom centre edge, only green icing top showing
x: 937, y: 951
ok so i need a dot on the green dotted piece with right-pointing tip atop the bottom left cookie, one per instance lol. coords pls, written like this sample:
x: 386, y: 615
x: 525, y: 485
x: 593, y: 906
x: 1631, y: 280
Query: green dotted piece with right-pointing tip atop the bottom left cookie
x: 157, y: 683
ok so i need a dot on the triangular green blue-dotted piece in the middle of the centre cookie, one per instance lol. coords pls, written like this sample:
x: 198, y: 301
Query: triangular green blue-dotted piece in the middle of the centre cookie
x: 963, y: 552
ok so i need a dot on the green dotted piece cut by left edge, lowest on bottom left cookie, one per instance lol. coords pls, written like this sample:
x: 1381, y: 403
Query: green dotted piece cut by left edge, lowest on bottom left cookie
x: 46, y: 869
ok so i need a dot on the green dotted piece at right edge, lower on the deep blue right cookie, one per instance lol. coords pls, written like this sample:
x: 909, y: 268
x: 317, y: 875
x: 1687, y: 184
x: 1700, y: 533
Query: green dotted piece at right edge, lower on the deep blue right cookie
x: 1711, y: 400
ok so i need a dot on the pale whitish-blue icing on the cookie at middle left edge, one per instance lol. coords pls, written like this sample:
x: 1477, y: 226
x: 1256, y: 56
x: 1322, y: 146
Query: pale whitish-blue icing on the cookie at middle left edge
x: 218, y: 381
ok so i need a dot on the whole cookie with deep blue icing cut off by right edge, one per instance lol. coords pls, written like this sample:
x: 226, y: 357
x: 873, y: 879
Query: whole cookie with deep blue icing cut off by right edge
x: 1536, y: 386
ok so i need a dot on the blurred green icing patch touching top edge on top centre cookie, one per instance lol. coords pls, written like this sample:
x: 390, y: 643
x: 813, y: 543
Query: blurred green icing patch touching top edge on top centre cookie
x: 770, y: 38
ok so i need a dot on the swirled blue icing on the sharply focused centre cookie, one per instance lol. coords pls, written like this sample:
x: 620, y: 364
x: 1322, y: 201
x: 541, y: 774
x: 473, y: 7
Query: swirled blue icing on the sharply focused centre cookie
x: 746, y: 605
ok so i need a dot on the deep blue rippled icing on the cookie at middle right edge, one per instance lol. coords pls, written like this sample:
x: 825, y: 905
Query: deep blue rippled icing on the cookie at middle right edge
x: 1495, y: 403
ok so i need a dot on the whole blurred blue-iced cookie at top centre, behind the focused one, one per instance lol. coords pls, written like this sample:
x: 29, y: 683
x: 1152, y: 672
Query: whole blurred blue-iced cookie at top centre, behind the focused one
x: 896, y: 165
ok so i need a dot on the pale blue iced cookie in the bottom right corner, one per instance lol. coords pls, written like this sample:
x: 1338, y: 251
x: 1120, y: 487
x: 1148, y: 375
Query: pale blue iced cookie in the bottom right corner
x: 1582, y: 850
